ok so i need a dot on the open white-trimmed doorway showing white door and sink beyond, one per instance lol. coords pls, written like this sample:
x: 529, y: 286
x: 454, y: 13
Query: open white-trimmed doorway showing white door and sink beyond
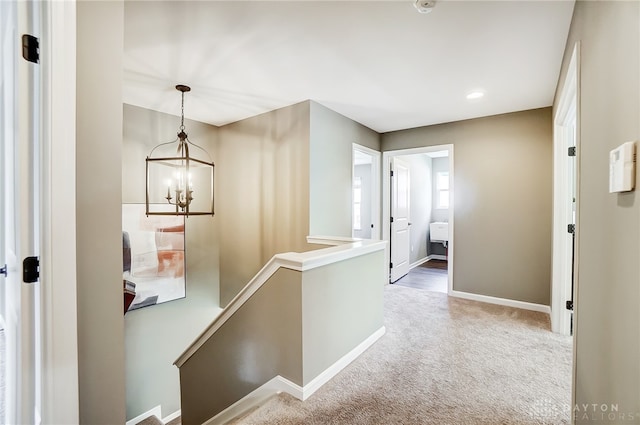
x: 418, y: 216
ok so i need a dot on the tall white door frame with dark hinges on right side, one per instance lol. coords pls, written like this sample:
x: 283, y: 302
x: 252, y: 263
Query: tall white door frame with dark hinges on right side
x: 568, y: 111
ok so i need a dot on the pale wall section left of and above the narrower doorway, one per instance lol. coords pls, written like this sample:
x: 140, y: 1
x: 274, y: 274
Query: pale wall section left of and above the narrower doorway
x: 331, y: 138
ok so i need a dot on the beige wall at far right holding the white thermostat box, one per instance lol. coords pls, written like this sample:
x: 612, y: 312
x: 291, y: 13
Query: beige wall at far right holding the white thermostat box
x: 607, y: 332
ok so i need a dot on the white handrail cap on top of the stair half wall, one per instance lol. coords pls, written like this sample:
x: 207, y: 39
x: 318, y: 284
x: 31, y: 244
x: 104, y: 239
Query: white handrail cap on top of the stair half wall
x: 300, y: 261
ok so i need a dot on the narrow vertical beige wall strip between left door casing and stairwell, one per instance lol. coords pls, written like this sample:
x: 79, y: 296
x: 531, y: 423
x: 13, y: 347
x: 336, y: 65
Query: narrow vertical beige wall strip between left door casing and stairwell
x: 101, y: 355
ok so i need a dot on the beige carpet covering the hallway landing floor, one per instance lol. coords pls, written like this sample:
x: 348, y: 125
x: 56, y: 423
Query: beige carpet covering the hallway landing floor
x: 443, y: 361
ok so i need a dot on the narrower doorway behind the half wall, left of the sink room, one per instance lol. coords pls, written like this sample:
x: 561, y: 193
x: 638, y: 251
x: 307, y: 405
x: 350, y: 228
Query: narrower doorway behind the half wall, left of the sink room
x: 365, y: 218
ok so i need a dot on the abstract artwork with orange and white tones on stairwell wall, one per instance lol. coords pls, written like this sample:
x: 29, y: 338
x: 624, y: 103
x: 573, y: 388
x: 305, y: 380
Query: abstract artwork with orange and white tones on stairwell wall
x: 153, y: 257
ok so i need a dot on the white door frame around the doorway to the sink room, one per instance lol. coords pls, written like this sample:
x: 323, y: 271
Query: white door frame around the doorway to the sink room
x: 386, y: 200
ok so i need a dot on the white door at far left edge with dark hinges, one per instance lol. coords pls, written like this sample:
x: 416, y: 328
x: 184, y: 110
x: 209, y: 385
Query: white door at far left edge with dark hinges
x: 19, y: 192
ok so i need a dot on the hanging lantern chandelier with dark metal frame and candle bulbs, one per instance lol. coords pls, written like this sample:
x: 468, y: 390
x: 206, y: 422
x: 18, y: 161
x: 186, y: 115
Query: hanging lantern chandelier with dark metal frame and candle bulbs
x: 179, y: 176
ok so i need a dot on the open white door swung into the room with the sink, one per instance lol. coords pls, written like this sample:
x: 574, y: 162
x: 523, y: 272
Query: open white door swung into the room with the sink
x: 400, y: 224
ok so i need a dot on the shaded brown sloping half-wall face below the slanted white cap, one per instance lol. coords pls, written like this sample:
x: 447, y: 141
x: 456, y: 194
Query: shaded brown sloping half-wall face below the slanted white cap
x: 260, y: 341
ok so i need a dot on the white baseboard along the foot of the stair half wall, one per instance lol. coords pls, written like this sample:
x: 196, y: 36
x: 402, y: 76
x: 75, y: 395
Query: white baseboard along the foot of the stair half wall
x: 279, y: 384
